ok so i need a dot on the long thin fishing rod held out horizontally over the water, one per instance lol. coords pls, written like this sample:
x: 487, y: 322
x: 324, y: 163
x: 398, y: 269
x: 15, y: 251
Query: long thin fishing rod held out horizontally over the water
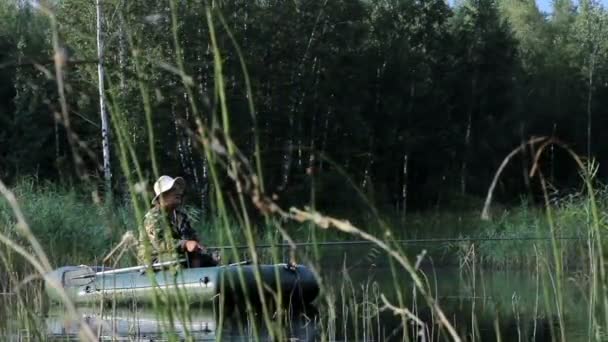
x: 401, y: 242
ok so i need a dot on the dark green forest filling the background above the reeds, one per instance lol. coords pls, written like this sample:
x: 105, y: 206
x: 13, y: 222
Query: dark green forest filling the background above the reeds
x: 414, y: 102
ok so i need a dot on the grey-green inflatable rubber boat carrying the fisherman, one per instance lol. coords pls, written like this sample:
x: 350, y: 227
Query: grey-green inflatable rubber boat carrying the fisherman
x: 292, y: 284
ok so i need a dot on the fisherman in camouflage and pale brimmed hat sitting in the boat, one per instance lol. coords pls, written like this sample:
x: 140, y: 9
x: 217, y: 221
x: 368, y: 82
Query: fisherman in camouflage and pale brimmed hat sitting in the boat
x: 168, y: 229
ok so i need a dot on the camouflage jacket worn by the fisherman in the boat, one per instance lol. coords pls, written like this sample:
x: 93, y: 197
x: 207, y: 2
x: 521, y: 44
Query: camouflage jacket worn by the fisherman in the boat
x: 166, y: 233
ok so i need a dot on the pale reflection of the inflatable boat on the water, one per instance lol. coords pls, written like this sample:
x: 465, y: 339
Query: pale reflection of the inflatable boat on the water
x: 144, y: 324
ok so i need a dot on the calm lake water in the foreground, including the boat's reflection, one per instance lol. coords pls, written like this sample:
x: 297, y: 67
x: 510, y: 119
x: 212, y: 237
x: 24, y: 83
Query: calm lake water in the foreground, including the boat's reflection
x: 475, y: 302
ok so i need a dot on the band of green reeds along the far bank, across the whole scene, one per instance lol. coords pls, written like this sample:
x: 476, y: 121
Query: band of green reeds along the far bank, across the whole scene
x: 60, y: 215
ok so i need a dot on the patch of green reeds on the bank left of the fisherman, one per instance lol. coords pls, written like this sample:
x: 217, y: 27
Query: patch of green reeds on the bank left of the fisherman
x: 70, y: 226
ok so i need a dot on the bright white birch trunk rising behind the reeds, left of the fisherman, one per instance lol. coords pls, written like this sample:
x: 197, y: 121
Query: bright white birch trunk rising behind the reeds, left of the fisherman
x: 105, y: 139
